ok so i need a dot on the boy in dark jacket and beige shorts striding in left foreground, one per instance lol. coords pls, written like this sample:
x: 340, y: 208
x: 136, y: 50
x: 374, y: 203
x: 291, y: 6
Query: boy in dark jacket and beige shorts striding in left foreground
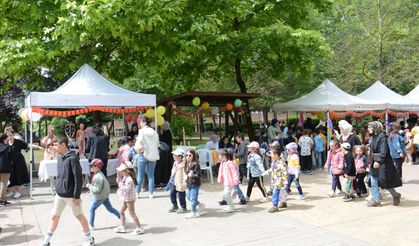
x: 68, y: 187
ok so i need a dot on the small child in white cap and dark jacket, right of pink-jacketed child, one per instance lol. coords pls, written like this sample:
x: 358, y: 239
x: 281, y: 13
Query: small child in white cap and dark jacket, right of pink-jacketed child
x: 350, y: 171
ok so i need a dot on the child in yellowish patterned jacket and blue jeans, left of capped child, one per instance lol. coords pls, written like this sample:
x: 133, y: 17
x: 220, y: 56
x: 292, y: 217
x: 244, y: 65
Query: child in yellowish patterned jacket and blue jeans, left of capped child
x: 279, y: 177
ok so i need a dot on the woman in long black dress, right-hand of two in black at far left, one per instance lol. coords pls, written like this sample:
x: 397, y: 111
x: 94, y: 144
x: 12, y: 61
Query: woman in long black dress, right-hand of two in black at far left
x: 19, y: 174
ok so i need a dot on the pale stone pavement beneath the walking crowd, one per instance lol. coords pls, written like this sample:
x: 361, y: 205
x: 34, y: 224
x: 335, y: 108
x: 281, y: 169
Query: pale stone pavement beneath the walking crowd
x: 318, y: 220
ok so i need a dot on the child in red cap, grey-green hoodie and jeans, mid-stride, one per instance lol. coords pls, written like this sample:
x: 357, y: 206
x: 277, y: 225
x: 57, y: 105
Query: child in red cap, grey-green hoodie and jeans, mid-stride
x: 100, y: 190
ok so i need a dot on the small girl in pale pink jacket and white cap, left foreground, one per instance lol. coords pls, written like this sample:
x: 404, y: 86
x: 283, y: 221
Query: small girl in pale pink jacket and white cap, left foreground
x: 126, y: 190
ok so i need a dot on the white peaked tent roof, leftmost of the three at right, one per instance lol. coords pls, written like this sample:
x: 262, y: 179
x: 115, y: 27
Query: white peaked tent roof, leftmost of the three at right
x: 326, y: 96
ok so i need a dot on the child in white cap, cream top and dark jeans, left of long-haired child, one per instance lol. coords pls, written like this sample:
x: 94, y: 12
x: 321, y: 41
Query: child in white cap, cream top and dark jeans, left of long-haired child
x: 178, y: 179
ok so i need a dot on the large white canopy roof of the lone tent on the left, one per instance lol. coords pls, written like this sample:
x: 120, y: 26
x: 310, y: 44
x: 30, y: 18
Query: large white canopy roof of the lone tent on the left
x: 89, y: 88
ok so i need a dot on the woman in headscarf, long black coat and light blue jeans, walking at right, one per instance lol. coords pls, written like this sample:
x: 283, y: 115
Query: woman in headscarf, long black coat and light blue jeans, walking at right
x: 382, y: 170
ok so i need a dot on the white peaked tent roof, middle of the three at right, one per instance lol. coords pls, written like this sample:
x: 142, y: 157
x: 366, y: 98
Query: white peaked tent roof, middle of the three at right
x: 382, y: 94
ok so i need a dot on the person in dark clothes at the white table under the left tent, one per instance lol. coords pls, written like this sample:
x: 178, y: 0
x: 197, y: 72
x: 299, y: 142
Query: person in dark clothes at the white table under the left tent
x: 98, y: 146
